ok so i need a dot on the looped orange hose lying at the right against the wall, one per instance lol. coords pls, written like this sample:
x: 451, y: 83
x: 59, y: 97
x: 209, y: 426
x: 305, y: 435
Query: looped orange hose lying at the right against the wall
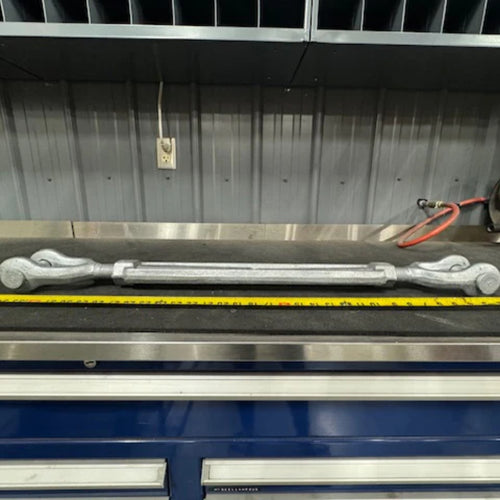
x: 448, y: 208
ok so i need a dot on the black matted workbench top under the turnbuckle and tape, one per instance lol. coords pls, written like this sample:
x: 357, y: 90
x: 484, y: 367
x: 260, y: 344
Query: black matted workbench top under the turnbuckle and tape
x: 425, y: 322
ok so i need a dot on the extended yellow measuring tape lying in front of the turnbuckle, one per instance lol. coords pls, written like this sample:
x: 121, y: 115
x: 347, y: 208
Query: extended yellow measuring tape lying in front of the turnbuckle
x: 218, y: 301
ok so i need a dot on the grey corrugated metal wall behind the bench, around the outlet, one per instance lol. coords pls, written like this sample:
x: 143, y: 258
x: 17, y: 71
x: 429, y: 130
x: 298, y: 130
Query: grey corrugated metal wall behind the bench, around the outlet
x: 86, y: 151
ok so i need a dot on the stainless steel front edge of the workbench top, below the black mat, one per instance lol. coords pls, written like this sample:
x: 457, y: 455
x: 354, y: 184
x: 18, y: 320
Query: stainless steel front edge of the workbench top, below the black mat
x: 142, y: 346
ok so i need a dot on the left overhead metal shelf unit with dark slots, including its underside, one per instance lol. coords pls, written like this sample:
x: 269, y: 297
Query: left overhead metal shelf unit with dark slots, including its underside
x: 177, y: 41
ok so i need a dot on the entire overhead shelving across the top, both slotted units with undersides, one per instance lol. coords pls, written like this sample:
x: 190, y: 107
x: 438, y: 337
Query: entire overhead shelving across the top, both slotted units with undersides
x: 431, y: 44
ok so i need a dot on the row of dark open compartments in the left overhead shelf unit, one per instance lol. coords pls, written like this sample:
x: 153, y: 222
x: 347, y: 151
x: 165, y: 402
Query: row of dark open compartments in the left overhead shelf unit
x: 279, y: 14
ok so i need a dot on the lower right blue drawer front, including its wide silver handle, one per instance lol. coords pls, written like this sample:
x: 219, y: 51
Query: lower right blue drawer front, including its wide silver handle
x: 351, y: 477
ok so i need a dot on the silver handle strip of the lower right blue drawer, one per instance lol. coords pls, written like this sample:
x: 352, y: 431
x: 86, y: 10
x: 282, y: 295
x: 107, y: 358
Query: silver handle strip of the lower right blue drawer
x: 351, y: 471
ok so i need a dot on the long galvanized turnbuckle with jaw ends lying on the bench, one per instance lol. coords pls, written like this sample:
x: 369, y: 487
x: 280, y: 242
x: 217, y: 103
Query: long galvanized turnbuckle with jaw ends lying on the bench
x: 50, y: 267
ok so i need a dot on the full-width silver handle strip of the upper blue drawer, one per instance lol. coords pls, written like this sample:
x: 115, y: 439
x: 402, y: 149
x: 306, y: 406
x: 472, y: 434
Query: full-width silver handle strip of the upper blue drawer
x: 248, y: 387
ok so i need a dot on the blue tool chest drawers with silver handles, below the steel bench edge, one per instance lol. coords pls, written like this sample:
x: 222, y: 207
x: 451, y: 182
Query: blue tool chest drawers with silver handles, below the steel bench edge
x: 313, y: 433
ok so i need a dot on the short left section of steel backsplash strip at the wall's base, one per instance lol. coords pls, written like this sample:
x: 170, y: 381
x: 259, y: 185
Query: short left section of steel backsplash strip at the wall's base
x: 35, y: 229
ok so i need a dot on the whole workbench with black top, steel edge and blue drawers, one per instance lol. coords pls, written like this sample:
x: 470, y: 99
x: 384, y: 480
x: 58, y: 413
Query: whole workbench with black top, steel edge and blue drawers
x: 327, y: 362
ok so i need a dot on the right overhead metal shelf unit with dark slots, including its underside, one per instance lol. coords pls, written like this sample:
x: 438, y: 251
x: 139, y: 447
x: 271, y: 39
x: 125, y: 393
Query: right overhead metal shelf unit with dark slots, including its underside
x: 407, y: 44
